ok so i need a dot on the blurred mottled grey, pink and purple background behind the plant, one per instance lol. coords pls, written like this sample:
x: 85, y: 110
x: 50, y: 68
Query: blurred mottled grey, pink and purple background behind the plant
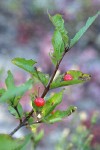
x: 26, y: 31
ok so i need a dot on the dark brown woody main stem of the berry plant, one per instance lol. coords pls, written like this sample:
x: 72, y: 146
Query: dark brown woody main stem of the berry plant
x: 24, y: 122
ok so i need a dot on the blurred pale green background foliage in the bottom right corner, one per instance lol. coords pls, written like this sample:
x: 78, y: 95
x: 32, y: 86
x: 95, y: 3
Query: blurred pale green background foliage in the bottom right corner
x: 80, y: 139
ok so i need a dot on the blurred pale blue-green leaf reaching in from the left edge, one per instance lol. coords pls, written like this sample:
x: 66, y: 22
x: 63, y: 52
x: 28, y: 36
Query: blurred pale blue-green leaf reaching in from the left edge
x: 16, y: 91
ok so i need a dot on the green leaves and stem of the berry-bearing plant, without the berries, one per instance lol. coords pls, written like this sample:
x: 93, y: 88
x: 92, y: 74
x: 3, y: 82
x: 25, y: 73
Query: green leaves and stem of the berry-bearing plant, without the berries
x: 13, y: 94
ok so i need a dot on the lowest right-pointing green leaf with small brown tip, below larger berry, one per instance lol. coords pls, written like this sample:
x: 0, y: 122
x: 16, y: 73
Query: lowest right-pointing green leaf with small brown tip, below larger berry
x: 59, y: 115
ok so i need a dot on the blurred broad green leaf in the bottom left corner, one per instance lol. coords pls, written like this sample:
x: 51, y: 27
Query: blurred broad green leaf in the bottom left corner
x: 8, y: 143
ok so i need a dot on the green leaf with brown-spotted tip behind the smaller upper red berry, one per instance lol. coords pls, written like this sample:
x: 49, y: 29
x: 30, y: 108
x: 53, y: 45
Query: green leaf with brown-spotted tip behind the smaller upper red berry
x: 78, y: 77
